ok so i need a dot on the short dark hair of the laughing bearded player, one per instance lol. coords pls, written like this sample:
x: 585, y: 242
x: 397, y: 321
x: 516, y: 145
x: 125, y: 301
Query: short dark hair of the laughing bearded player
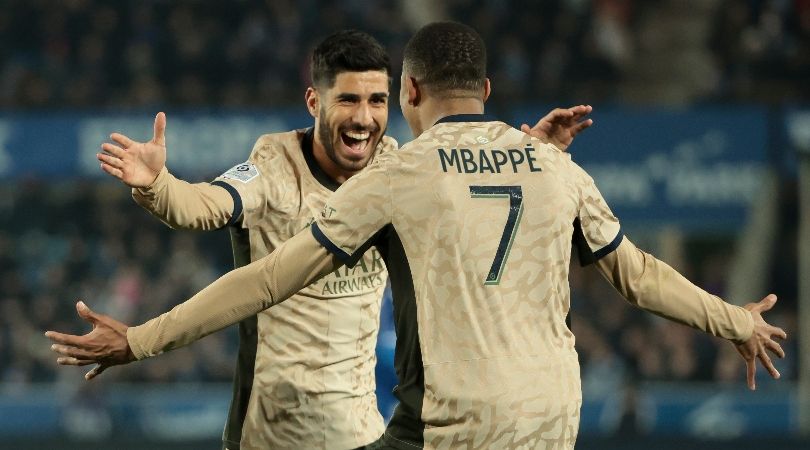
x: 347, y: 51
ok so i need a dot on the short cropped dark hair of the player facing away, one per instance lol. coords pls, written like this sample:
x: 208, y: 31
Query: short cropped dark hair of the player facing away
x: 447, y: 56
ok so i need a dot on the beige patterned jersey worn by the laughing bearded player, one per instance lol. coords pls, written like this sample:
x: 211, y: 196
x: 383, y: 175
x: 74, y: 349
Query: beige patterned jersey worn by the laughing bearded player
x: 313, y: 383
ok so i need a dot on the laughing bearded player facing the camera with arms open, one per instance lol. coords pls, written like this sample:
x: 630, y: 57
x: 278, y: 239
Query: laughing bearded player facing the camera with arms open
x: 305, y: 370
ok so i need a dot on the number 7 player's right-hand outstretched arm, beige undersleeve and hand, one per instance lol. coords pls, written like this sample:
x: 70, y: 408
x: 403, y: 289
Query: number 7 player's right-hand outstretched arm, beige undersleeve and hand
x: 654, y: 286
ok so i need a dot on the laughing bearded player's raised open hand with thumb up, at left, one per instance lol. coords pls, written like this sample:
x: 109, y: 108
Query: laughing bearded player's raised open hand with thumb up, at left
x: 137, y: 164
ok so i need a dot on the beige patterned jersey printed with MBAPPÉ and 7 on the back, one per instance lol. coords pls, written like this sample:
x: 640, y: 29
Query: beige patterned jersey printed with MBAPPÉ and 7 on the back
x: 475, y: 220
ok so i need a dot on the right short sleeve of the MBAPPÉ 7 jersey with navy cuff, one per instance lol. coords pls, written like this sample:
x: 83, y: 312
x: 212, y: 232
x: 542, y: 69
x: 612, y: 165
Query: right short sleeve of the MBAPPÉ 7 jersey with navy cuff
x: 597, y: 231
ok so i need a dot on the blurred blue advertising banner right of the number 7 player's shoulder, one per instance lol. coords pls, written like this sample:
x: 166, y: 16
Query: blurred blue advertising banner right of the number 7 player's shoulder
x: 695, y: 168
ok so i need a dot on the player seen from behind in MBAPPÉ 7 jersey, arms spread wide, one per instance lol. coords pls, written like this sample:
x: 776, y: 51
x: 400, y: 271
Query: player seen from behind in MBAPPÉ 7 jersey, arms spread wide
x: 474, y: 220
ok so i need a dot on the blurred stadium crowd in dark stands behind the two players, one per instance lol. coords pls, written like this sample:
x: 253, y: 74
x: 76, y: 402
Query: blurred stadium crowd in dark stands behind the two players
x: 64, y: 241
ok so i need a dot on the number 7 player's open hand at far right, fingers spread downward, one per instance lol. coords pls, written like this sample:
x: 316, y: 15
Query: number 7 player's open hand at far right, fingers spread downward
x: 762, y: 340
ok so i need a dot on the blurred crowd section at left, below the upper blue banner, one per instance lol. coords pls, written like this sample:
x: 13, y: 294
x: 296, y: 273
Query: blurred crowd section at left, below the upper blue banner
x: 90, y: 242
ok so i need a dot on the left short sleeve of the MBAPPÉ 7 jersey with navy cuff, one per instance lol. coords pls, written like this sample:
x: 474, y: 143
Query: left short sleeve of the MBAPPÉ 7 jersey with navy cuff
x: 355, y: 214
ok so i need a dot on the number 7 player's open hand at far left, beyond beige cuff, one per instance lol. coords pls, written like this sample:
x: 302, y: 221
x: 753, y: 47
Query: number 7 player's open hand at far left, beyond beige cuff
x: 106, y: 345
